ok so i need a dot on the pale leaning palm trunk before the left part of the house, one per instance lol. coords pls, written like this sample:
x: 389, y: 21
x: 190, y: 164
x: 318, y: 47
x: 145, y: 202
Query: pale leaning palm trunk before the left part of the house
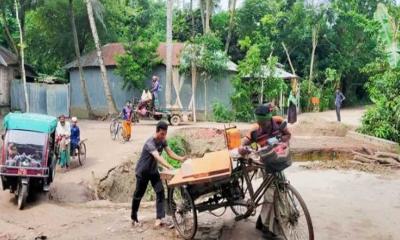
x: 110, y: 101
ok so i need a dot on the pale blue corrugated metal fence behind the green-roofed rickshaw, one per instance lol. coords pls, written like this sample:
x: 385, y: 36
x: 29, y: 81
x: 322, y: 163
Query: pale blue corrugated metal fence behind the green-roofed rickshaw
x: 43, y: 98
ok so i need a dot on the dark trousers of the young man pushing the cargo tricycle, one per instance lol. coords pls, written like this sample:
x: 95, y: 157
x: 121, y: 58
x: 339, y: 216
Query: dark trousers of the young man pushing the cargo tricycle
x: 141, y: 185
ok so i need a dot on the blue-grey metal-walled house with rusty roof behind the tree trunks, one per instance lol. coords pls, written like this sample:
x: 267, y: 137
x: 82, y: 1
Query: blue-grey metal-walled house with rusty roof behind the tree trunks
x: 183, y: 82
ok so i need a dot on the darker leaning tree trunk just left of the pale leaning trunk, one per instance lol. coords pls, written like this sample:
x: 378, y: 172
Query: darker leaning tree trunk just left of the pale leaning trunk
x: 78, y: 59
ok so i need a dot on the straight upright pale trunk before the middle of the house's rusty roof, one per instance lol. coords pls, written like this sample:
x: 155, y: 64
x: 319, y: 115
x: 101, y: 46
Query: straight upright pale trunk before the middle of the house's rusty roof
x: 169, y: 46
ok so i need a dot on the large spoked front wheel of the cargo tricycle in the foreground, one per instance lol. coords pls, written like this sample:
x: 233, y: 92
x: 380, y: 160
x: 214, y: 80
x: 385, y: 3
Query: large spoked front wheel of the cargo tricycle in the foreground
x: 294, y: 220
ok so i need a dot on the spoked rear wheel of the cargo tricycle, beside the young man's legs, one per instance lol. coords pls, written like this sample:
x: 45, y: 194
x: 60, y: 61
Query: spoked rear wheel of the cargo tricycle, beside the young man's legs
x: 183, y: 212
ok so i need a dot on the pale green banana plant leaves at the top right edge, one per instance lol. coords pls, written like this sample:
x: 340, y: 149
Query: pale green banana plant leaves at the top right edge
x: 388, y: 34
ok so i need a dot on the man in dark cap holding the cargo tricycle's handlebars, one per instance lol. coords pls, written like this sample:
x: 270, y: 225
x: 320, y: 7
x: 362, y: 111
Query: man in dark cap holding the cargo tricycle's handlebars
x: 264, y: 133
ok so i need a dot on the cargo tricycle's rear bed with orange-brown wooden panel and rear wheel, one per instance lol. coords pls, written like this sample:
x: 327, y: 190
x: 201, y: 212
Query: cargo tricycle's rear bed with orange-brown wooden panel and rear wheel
x: 188, y: 186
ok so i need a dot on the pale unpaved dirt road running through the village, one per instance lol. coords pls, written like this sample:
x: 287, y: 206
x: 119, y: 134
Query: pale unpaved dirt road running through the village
x: 343, y: 204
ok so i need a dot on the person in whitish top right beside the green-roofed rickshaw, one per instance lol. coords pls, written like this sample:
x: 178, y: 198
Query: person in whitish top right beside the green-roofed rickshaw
x: 63, y: 133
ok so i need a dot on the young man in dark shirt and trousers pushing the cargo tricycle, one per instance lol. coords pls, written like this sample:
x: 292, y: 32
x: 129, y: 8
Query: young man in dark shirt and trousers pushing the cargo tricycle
x: 147, y: 171
